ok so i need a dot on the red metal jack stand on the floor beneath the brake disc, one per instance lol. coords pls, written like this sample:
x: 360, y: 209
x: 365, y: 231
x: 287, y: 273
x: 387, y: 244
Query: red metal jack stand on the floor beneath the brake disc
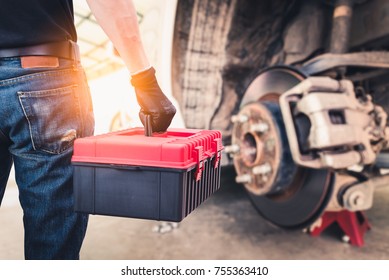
x: 353, y: 224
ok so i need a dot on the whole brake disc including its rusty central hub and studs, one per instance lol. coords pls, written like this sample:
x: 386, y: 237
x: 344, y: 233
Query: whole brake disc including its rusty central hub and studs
x: 286, y: 195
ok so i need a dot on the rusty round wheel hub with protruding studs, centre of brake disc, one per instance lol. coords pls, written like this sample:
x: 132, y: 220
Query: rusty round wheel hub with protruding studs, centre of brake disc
x: 263, y: 164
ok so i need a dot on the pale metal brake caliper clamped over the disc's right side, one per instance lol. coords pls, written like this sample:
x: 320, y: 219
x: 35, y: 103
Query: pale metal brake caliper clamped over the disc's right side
x: 329, y: 126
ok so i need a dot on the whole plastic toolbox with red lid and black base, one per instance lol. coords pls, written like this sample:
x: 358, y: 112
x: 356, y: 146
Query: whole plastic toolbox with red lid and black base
x: 163, y: 177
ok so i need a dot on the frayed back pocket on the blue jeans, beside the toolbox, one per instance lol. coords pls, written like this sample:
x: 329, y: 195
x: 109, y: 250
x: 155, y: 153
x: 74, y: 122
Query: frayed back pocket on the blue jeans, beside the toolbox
x: 53, y: 117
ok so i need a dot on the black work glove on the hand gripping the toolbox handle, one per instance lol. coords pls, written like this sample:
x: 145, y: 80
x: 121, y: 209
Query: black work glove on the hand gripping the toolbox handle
x: 152, y: 101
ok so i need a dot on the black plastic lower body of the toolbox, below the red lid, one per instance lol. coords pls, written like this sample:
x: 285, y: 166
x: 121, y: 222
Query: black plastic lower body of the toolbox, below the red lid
x: 142, y: 192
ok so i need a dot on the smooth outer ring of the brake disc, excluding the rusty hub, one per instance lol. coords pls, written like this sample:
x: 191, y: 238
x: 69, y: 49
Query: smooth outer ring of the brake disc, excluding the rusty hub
x: 306, y: 195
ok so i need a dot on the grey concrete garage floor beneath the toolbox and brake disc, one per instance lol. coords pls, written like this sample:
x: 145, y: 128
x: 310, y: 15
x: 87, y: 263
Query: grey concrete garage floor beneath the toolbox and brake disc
x: 225, y: 227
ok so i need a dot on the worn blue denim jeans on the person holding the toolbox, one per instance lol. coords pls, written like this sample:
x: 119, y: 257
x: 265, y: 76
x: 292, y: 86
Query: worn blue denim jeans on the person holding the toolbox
x: 42, y: 111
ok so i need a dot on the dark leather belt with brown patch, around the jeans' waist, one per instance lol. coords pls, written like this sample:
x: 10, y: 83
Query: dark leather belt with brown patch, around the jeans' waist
x: 66, y: 49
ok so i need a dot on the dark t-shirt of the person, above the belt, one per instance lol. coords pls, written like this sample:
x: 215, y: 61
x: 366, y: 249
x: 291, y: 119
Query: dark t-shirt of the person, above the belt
x: 30, y: 22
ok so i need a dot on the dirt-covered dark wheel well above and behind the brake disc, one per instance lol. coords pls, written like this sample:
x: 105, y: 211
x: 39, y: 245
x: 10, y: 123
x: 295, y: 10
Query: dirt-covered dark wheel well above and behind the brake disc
x: 220, y: 46
